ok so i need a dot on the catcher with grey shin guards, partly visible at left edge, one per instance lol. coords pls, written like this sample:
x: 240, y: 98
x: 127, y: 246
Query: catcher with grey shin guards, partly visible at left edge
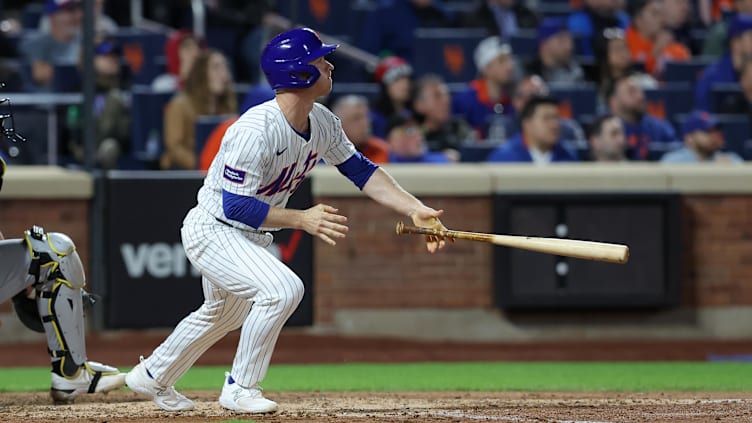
x: 43, y: 275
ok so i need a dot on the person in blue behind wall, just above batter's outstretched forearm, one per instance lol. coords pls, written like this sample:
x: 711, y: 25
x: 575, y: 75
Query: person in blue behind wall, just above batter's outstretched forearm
x: 406, y: 143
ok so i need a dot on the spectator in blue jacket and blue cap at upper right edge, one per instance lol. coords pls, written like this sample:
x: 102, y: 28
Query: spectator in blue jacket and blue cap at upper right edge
x: 726, y: 69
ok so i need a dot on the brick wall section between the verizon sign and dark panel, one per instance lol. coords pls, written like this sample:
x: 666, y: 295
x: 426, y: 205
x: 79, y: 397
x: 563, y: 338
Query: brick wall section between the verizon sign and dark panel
x: 375, y: 268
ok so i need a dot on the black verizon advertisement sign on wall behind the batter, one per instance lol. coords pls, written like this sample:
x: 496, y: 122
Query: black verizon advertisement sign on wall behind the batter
x: 151, y: 284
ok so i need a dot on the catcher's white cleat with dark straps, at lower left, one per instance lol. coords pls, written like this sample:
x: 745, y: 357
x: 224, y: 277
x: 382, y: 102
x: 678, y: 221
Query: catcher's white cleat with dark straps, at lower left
x: 91, y: 378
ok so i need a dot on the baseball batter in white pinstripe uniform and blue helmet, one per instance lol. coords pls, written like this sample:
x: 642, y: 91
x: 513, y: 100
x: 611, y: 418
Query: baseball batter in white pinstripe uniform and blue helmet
x: 263, y: 158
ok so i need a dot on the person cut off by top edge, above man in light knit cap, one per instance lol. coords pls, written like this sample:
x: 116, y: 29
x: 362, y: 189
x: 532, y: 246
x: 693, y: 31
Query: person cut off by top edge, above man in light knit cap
x: 501, y: 17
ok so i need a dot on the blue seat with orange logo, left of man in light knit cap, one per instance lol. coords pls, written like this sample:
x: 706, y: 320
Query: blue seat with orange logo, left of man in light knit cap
x: 447, y: 52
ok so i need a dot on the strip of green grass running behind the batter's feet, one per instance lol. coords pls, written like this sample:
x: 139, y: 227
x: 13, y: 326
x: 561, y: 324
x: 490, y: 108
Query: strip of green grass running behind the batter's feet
x: 537, y: 376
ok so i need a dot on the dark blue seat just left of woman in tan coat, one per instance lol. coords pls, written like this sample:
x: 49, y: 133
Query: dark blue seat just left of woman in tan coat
x: 147, y: 117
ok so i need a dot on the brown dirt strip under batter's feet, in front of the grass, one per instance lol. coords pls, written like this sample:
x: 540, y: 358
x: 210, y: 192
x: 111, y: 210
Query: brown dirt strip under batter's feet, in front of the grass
x: 555, y: 407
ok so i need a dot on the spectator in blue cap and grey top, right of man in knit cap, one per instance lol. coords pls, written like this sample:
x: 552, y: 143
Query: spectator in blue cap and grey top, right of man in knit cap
x: 555, y: 62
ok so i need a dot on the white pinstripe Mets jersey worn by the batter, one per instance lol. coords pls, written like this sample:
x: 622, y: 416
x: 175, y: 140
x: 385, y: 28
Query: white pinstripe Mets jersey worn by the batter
x: 262, y: 156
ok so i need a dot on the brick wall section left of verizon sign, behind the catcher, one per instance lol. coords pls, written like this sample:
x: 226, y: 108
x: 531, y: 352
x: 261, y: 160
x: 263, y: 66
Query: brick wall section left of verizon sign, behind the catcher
x: 68, y: 216
